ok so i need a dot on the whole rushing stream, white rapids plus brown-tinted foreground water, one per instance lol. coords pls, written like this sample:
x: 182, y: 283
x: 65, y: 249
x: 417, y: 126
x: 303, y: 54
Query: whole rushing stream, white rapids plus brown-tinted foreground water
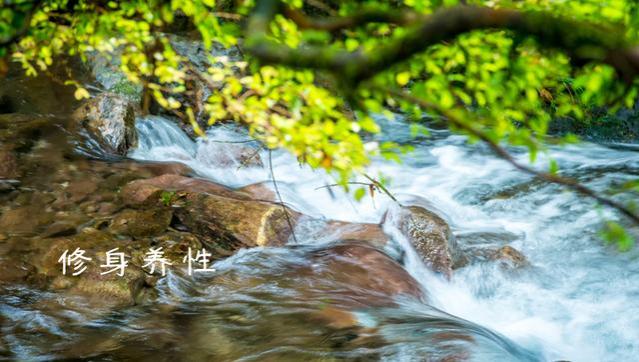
x: 576, y: 301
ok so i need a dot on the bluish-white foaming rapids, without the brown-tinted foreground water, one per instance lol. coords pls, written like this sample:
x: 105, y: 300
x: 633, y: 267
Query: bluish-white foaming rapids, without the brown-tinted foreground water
x: 577, y: 301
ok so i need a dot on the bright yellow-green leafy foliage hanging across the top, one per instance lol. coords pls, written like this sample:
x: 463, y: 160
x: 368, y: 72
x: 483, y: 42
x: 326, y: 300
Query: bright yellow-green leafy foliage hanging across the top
x: 314, y: 72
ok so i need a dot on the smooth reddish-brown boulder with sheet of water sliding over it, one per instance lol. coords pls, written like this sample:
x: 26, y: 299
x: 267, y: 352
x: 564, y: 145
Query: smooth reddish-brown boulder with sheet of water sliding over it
x: 348, y: 275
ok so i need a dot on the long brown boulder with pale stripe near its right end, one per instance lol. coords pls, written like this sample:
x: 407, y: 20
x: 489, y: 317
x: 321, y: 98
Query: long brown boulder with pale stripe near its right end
x: 225, y: 220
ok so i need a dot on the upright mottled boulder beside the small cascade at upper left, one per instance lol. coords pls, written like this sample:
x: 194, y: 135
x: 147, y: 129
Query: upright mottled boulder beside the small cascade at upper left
x: 110, y: 121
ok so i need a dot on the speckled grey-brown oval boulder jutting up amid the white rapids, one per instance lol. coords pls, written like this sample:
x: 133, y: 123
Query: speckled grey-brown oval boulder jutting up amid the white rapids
x: 431, y: 237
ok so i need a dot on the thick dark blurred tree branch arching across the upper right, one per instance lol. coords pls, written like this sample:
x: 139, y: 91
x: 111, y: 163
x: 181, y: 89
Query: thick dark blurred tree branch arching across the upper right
x: 583, y: 42
